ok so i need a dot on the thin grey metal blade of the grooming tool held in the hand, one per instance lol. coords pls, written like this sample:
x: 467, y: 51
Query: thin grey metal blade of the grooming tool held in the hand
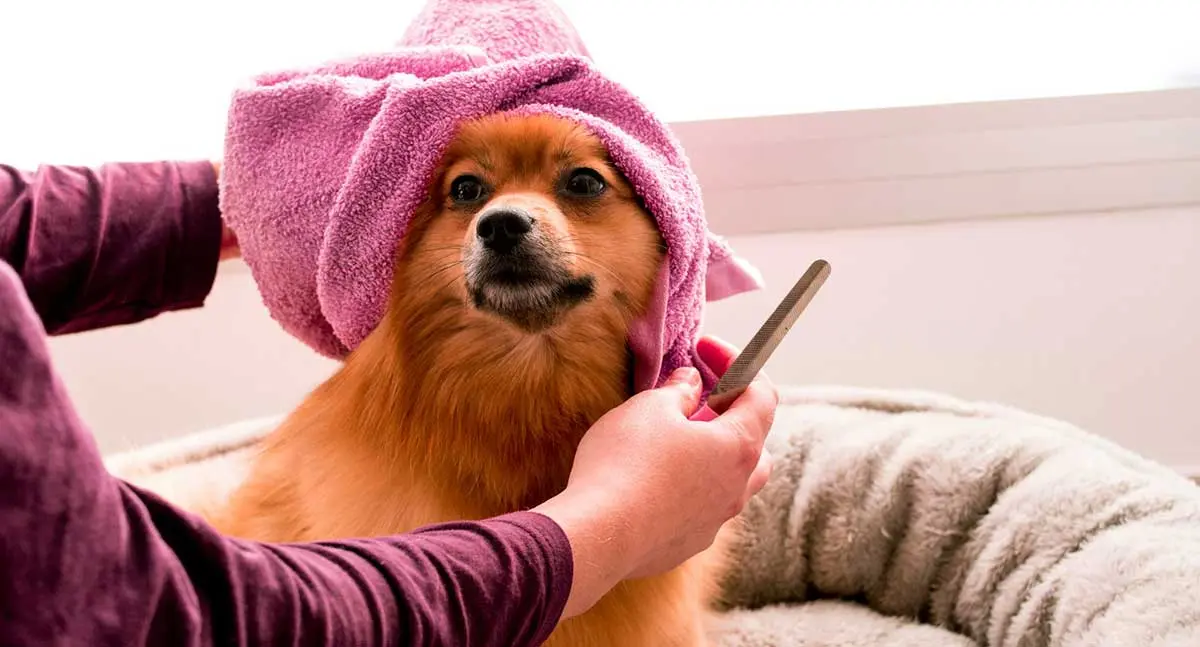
x: 767, y: 339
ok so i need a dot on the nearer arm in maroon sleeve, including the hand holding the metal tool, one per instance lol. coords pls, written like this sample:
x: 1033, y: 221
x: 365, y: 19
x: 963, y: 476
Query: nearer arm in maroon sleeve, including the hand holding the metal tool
x: 87, y: 559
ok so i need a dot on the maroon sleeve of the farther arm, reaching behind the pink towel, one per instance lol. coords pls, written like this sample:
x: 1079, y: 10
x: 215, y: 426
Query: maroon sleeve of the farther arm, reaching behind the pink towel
x: 112, y: 245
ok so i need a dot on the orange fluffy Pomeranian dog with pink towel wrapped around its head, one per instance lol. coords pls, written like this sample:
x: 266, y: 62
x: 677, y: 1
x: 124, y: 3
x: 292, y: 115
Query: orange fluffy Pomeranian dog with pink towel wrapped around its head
x: 505, y: 340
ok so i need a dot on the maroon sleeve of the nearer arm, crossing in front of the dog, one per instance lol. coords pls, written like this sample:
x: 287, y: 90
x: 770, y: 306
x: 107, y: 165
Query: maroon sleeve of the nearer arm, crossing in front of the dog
x: 89, y: 560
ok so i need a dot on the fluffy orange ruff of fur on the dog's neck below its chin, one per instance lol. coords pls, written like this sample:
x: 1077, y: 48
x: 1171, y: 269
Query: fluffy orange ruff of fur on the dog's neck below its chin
x: 490, y: 415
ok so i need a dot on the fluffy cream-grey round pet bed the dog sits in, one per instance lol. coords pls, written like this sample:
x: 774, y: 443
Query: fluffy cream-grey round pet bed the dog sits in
x: 907, y: 519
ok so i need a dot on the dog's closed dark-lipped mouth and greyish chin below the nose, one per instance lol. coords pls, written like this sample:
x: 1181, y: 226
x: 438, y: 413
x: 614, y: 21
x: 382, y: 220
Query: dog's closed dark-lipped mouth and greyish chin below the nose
x: 530, y: 292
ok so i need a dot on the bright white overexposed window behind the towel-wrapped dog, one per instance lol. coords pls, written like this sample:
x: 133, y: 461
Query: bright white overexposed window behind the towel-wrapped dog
x: 134, y: 80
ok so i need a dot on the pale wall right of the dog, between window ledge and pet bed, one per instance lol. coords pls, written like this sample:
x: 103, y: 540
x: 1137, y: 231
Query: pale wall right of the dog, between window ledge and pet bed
x: 1090, y: 319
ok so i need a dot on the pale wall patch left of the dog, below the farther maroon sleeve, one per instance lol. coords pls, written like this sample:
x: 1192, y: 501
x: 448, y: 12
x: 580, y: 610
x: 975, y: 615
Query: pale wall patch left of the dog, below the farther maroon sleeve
x: 188, y: 372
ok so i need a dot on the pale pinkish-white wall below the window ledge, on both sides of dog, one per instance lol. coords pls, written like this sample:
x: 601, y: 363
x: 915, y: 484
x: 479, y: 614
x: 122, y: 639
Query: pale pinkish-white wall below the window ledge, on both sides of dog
x: 1091, y: 319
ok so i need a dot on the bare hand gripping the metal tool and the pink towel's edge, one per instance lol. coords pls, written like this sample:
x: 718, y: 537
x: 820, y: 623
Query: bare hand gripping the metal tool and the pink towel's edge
x: 651, y: 489
